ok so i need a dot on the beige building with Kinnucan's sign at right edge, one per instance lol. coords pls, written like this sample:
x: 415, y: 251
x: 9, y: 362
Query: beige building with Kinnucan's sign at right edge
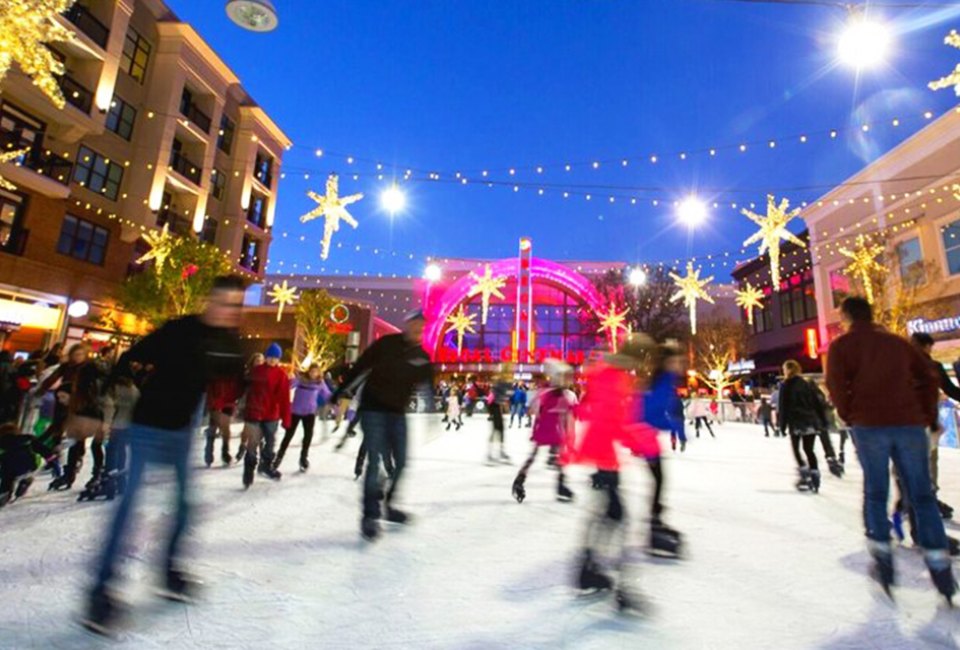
x: 906, y: 204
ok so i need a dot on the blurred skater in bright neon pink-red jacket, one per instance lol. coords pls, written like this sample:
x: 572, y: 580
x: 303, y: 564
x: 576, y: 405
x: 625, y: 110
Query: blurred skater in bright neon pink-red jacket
x: 608, y: 411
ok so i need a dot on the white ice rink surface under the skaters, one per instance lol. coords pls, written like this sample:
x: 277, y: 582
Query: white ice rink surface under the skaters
x: 766, y: 567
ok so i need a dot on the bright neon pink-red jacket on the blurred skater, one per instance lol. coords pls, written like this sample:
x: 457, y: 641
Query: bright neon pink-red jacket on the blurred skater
x: 608, y: 411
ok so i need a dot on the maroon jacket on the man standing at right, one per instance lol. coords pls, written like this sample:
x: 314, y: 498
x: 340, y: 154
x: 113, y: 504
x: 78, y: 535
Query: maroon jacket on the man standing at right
x: 877, y: 379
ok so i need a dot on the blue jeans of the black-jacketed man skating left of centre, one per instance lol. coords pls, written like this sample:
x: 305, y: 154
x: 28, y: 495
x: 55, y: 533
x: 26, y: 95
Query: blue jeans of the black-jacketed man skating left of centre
x: 385, y: 435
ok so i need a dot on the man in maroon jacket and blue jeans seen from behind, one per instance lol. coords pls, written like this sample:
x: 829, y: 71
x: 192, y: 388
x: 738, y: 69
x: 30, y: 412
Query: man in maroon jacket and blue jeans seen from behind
x: 884, y: 388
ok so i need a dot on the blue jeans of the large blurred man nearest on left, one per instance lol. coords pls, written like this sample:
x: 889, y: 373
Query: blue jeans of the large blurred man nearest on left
x: 149, y: 445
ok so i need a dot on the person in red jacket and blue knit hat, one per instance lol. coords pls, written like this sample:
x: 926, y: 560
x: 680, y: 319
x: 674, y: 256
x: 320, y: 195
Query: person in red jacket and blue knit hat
x: 268, y: 403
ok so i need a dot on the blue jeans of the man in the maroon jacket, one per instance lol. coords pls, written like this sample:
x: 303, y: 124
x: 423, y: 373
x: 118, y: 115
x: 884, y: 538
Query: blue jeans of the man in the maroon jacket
x: 908, y: 448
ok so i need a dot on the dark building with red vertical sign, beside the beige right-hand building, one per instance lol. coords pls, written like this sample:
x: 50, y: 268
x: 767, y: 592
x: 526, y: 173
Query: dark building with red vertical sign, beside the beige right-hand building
x: 785, y: 326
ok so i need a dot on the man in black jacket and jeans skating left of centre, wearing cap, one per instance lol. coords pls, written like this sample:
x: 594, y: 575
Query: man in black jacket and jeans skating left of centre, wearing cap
x: 393, y: 366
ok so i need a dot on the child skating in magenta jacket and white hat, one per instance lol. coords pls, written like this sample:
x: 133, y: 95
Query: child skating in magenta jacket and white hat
x: 553, y: 428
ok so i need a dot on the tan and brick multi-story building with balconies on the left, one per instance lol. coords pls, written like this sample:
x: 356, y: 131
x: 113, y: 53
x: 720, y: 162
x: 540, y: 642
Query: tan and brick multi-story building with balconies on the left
x: 157, y: 130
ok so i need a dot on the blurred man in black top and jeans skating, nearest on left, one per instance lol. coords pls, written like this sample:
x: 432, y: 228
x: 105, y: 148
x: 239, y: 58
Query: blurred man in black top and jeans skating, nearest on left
x: 185, y: 354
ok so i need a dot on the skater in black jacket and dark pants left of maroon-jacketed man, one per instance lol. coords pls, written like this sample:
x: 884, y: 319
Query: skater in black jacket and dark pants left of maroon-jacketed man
x: 801, y: 416
